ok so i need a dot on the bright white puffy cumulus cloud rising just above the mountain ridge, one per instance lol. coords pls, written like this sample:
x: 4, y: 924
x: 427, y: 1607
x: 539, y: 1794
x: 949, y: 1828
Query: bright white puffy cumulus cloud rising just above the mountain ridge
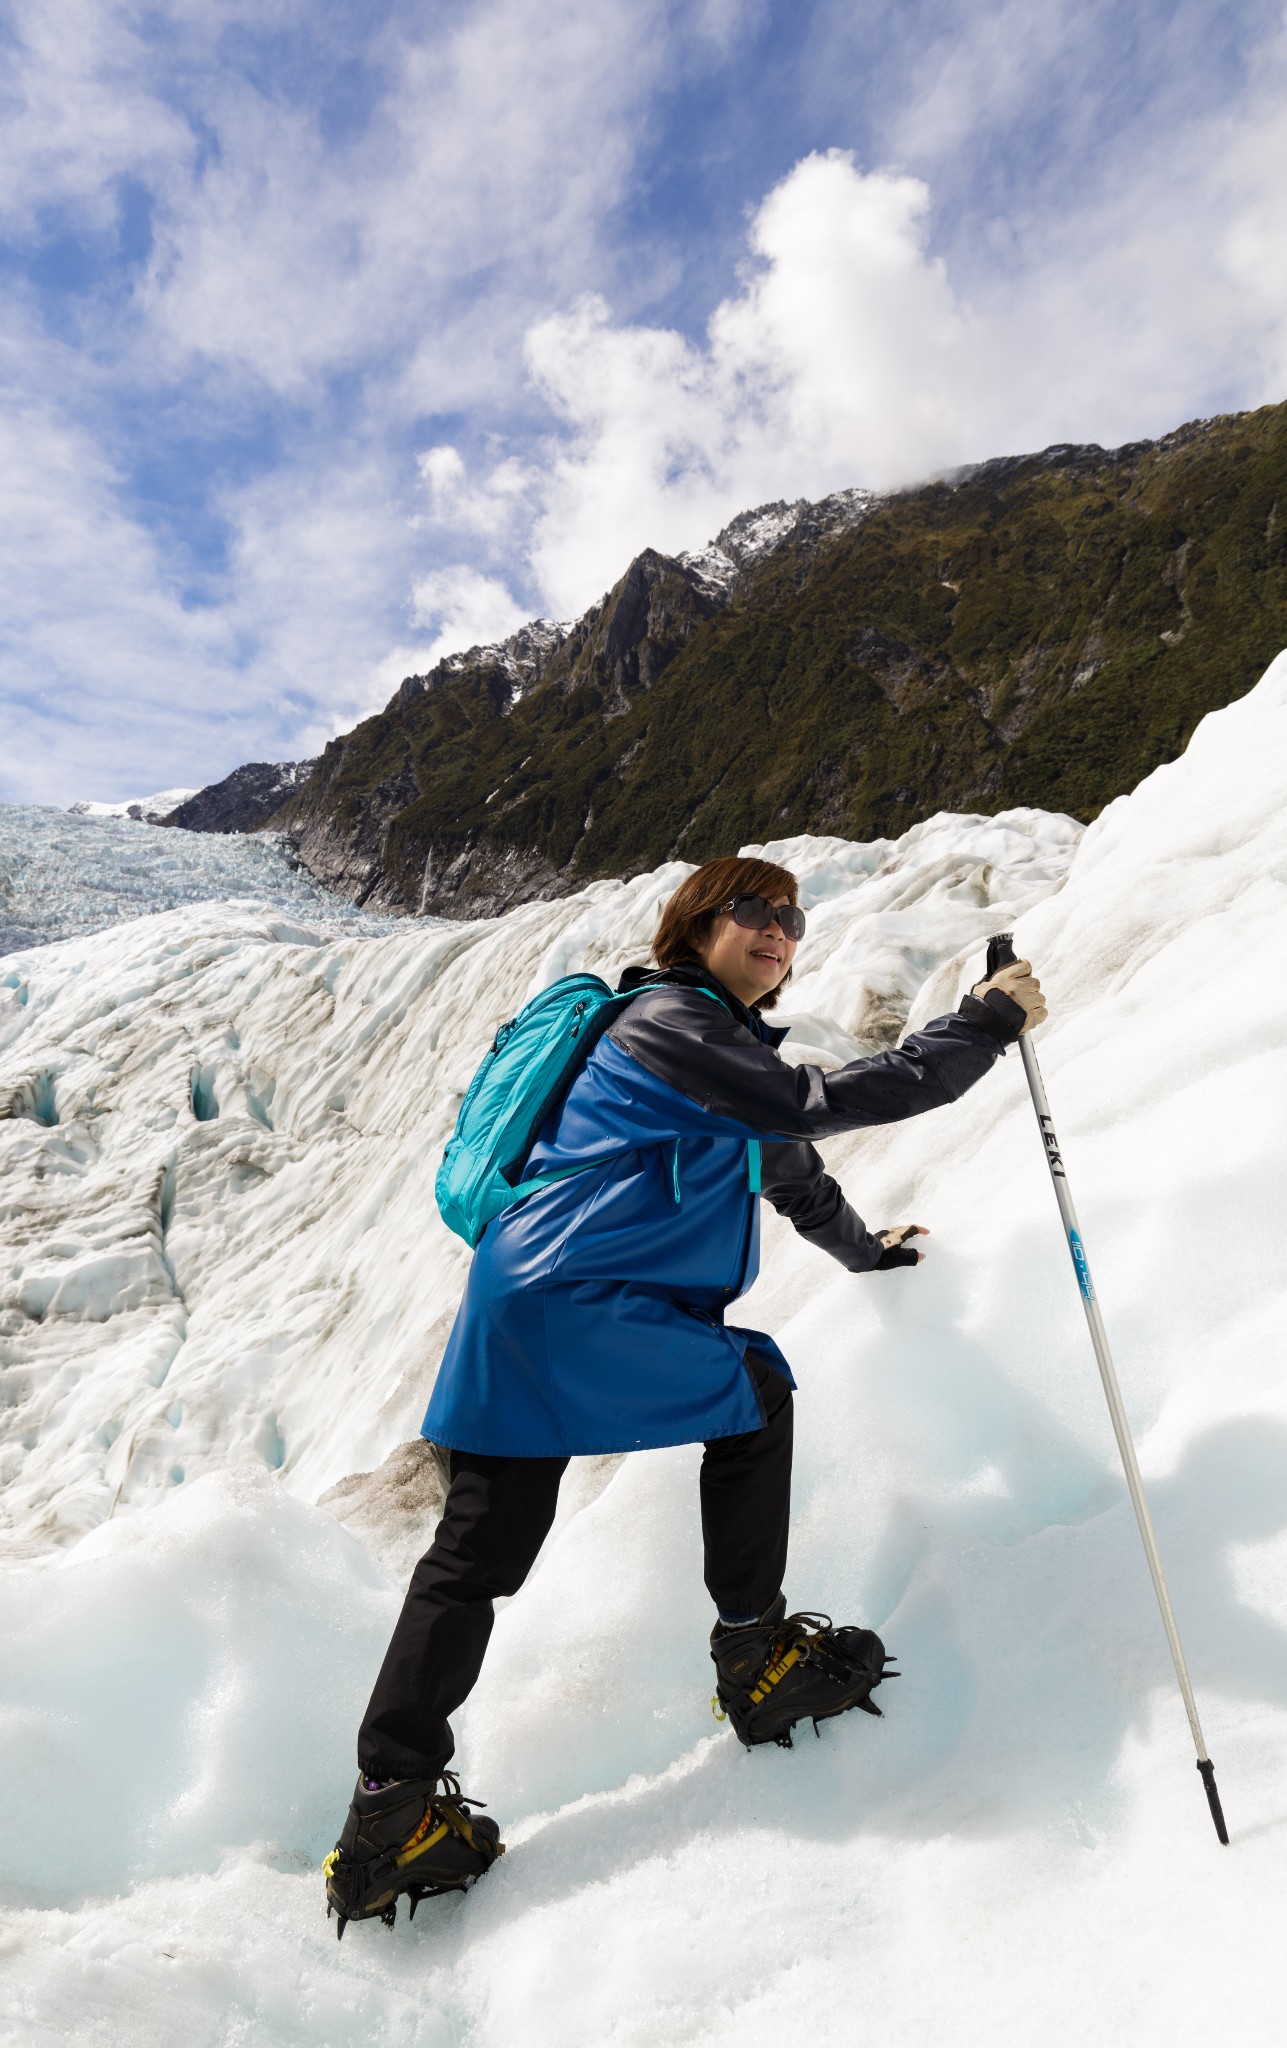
x: 839, y: 361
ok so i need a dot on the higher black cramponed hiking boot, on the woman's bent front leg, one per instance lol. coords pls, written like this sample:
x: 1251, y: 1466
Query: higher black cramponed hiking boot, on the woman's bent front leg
x: 790, y: 1668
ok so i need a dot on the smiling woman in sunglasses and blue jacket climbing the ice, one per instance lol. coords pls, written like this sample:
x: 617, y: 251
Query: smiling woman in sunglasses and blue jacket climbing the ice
x: 593, y: 1322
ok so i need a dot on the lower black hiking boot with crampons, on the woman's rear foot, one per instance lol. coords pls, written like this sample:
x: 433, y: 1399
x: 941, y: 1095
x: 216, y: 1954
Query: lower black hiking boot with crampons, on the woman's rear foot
x: 415, y: 1836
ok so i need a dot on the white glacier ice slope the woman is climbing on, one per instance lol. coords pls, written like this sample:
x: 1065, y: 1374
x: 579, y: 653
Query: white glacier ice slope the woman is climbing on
x: 226, y: 1291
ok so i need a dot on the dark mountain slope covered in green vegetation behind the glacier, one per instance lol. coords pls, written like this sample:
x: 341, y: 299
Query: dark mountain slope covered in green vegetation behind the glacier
x: 1038, y: 632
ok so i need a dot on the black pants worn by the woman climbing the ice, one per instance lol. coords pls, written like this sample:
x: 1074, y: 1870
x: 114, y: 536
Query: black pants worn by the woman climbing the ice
x: 497, y: 1519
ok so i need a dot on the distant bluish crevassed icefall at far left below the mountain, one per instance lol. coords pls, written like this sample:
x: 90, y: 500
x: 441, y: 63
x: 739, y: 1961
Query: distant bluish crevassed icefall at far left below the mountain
x: 69, y: 876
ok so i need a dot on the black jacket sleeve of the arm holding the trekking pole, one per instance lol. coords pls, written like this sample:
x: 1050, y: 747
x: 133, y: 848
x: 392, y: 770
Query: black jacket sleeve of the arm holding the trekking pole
x: 694, y: 1043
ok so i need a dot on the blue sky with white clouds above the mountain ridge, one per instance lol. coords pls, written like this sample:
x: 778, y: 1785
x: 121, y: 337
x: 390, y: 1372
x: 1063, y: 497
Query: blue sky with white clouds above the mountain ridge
x: 337, y: 337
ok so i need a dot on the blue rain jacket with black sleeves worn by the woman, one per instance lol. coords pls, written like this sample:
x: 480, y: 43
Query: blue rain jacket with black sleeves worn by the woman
x: 593, y: 1316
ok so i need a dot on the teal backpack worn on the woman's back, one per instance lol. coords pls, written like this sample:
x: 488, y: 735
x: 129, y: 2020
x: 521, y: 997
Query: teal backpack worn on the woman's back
x: 532, y: 1064
